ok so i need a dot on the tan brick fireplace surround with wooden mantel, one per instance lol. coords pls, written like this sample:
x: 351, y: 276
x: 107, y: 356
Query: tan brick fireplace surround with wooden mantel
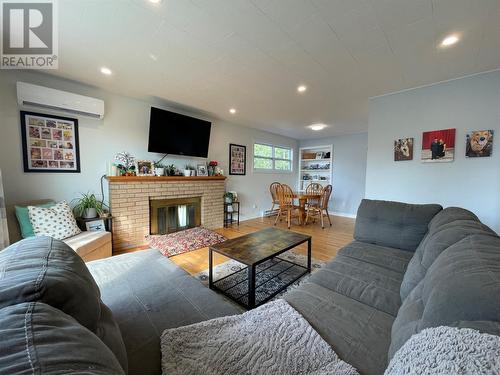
x: 131, y: 199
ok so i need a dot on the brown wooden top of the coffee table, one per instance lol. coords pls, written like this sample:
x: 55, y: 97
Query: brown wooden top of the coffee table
x: 256, y: 247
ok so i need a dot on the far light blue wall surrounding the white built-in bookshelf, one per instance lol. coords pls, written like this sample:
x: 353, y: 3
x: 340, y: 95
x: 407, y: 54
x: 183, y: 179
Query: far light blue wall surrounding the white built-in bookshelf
x: 349, y: 170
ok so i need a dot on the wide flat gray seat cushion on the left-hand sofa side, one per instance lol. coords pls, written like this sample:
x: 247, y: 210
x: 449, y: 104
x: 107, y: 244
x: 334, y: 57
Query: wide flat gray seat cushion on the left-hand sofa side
x: 147, y: 294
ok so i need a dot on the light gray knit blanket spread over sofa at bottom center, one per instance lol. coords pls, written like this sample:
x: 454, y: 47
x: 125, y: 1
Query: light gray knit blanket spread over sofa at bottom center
x: 273, y: 339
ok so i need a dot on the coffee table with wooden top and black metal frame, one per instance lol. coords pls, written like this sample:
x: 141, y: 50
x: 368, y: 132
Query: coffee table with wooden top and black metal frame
x: 266, y: 273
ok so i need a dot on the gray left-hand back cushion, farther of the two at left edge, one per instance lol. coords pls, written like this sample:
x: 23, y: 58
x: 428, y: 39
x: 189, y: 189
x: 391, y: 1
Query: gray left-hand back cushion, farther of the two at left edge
x: 46, y: 270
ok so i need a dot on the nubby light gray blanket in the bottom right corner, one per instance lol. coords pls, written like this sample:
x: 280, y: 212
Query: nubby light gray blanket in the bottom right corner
x: 448, y: 350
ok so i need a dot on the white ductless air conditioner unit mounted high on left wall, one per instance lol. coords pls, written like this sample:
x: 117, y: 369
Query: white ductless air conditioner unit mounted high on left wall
x: 57, y: 100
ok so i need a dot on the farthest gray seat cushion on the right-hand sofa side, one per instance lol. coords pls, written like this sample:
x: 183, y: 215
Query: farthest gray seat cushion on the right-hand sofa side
x: 387, y: 257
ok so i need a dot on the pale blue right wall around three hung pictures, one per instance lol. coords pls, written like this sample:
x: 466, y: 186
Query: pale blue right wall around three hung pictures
x: 471, y: 103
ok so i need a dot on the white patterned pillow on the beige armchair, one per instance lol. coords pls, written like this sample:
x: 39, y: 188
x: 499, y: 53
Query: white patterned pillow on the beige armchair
x: 57, y: 221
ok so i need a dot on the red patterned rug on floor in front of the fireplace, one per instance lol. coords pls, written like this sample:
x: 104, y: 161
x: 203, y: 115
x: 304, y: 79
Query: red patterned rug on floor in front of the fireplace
x: 184, y: 241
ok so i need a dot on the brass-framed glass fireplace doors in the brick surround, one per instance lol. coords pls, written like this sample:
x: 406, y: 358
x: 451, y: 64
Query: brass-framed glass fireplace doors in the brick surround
x: 172, y: 215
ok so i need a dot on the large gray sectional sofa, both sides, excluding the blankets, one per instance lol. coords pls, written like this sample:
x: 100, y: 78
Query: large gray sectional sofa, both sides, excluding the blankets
x: 410, y: 267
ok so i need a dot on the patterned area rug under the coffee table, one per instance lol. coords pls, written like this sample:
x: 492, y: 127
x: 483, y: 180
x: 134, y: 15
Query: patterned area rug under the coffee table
x: 224, y: 269
